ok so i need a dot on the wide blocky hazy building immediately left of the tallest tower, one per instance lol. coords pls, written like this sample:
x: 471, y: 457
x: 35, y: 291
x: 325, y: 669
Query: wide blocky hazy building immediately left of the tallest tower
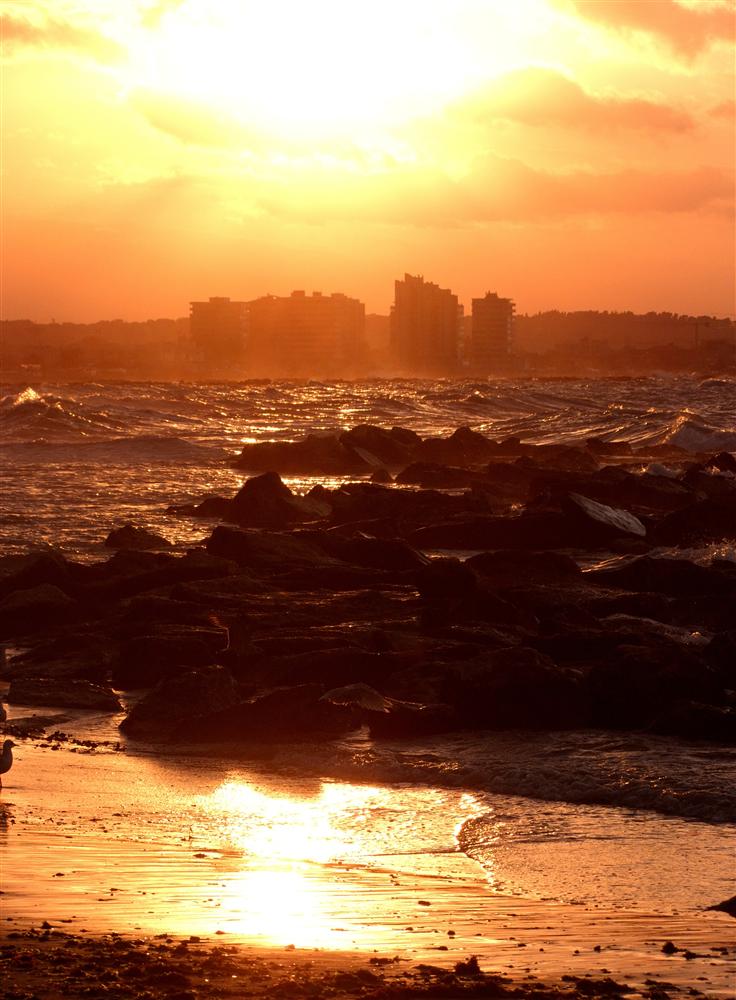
x: 305, y: 334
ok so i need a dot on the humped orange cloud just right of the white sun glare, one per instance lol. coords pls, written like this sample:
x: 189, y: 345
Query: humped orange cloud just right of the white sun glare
x: 537, y: 96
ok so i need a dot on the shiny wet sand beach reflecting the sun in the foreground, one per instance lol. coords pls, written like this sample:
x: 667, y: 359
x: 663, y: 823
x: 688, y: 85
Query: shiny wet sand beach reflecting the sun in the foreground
x: 76, y: 858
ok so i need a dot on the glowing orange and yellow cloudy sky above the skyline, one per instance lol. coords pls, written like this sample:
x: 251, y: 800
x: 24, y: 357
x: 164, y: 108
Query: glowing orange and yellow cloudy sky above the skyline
x: 567, y: 153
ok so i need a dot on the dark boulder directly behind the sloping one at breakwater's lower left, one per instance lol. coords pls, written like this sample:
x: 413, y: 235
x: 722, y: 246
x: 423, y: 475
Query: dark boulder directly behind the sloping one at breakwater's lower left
x: 145, y: 660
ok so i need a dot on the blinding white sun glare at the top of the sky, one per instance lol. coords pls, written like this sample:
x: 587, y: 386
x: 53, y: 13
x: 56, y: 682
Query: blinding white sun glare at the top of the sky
x: 323, y: 68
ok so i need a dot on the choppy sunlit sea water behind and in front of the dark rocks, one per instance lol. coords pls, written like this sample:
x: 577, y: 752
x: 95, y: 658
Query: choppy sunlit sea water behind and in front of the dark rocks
x: 629, y: 820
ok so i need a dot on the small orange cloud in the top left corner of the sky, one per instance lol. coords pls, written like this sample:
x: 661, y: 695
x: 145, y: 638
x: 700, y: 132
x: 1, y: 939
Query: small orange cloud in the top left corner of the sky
x: 45, y: 32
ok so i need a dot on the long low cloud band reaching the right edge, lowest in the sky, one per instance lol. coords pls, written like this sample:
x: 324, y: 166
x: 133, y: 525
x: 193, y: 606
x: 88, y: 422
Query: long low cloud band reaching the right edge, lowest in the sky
x: 500, y: 190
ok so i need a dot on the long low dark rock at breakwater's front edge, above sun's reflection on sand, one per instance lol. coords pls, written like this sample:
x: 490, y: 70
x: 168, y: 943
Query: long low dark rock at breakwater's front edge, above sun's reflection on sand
x: 283, y: 715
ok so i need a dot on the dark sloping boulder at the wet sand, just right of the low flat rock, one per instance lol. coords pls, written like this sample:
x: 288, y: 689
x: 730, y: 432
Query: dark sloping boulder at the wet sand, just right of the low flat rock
x: 175, y: 700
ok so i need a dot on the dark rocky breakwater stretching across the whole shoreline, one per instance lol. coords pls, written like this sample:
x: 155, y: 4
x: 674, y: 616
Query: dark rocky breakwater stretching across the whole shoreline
x: 304, y: 617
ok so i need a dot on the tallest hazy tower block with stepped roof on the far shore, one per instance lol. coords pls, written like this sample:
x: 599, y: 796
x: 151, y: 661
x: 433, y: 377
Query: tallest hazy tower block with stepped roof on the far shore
x: 425, y: 327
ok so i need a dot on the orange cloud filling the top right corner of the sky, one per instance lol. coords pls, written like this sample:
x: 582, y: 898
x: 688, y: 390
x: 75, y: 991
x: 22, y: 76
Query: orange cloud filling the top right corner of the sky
x: 688, y: 30
